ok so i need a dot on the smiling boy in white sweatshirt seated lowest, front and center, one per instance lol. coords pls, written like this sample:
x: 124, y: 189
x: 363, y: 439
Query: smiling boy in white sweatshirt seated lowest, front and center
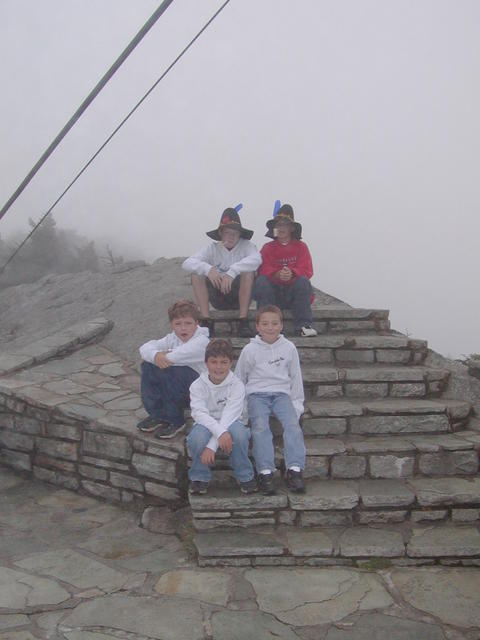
x: 217, y: 401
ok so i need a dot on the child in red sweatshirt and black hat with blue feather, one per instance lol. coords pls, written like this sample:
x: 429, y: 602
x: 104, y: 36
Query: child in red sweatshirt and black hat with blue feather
x: 284, y: 277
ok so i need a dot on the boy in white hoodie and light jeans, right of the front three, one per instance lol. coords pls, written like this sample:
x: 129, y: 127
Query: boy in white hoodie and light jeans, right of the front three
x: 269, y: 367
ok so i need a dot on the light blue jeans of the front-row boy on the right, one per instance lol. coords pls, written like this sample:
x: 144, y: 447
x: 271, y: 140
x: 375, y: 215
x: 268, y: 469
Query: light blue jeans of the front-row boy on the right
x: 260, y: 406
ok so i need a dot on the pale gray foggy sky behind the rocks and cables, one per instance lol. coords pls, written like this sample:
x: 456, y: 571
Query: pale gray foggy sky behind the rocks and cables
x: 363, y: 114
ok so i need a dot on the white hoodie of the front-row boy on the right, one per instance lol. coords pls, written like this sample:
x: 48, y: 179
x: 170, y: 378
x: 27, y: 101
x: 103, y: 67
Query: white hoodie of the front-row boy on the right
x: 272, y: 368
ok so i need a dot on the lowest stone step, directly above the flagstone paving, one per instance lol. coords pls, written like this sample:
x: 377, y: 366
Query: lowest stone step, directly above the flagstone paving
x: 443, y: 543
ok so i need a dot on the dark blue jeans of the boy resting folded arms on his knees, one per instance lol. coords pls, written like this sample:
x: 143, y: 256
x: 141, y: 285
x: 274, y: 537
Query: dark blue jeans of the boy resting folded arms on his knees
x: 165, y: 391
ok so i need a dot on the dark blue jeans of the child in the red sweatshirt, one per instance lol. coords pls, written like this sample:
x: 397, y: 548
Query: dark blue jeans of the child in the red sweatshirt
x: 294, y: 296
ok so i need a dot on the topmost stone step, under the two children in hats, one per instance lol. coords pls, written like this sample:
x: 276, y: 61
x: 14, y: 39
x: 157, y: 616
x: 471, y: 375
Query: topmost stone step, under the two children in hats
x: 326, y: 319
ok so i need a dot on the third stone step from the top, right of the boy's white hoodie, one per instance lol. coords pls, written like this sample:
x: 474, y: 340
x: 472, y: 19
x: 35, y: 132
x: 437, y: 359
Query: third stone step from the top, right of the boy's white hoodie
x: 373, y: 381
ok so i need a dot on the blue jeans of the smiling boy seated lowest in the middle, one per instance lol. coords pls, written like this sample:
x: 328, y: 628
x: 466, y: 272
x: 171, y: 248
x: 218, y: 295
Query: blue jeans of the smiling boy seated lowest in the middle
x: 198, y: 439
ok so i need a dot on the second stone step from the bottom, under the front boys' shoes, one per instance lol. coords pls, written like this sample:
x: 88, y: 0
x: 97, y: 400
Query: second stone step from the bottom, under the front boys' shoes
x: 342, y: 503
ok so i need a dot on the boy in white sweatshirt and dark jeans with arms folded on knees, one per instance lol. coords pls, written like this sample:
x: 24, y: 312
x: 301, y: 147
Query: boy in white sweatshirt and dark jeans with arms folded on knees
x: 169, y: 367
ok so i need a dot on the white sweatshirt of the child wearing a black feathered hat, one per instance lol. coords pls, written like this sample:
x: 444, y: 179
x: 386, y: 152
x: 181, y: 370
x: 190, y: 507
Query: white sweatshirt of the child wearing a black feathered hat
x: 244, y: 257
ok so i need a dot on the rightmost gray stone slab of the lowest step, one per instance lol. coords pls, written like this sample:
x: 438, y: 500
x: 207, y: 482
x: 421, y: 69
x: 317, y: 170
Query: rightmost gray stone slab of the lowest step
x: 444, y: 541
